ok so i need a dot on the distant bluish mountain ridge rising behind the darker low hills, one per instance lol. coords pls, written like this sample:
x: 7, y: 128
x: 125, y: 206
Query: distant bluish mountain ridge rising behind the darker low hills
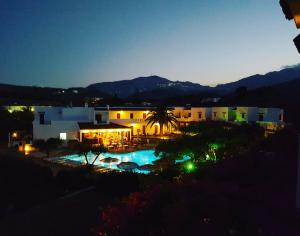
x: 148, y: 86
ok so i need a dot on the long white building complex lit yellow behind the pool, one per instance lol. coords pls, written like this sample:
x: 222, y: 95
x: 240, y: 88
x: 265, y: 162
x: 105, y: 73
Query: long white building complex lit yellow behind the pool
x: 103, y: 123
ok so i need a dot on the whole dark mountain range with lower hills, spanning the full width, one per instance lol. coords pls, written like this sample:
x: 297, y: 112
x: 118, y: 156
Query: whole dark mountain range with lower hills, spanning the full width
x: 151, y: 88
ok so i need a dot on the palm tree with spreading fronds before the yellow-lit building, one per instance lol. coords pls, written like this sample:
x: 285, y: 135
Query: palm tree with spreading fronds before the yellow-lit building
x: 163, y: 116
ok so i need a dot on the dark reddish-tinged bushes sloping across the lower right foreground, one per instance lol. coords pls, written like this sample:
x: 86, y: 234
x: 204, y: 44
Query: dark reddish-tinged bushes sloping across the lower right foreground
x: 250, y: 193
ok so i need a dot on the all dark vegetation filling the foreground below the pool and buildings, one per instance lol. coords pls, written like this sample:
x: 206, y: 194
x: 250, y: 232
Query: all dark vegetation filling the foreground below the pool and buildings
x: 239, y: 183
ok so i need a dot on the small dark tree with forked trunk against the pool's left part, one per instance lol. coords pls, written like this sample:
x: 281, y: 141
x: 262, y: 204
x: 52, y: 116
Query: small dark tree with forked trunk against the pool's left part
x: 85, y: 148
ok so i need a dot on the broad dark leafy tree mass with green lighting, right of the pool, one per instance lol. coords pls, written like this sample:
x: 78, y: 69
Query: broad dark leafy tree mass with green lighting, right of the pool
x: 211, y: 141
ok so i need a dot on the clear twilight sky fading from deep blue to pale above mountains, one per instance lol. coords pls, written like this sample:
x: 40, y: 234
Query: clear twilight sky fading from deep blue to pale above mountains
x: 64, y: 43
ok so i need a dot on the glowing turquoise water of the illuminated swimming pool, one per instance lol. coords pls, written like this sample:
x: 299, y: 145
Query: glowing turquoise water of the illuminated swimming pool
x: 141, y: 158
